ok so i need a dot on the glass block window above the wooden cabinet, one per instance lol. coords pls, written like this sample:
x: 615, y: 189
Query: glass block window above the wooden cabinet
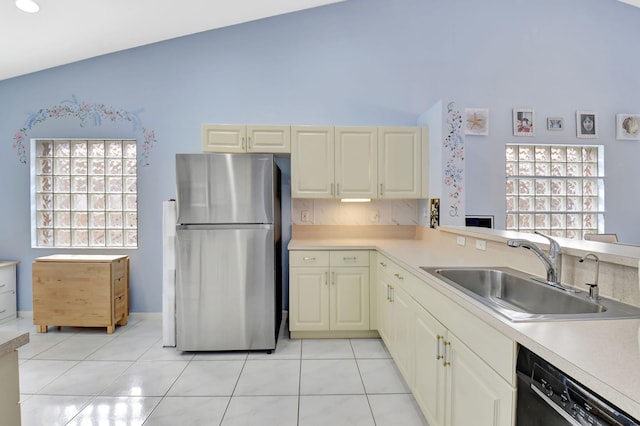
x: 84, y: 194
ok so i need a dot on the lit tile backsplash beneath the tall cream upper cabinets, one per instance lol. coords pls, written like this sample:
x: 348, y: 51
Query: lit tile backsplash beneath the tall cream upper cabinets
x: 334, y: 212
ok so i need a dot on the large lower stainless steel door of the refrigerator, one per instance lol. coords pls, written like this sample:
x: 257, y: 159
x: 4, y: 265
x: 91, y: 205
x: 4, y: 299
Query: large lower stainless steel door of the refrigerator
x: 225, y: 288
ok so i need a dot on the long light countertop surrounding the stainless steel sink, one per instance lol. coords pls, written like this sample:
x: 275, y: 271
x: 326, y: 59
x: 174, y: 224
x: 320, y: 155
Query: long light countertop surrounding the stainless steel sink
x: 603, y: 355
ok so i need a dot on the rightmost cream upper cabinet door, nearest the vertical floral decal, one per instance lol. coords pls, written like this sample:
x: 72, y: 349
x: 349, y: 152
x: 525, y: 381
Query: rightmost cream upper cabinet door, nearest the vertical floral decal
x: 399, y: 159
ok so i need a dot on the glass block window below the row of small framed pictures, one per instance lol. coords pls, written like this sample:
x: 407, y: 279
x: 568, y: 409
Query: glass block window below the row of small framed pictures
x: 555, y: 189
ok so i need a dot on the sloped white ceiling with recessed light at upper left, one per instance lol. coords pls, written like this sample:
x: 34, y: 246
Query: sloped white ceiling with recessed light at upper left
x: 66, y: 31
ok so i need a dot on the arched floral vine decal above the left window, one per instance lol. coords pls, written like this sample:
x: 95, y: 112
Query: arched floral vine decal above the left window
x: 92, y: 114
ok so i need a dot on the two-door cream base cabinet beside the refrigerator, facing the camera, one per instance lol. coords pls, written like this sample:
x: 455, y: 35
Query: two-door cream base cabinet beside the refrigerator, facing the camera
x: 329, y: 291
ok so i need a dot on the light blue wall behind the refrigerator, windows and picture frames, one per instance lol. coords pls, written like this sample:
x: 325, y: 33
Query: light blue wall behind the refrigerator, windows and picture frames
x: 361, y: 62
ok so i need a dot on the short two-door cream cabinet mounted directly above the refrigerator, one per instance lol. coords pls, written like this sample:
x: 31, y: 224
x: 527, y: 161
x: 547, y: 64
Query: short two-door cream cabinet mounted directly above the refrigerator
x: 246, y: 138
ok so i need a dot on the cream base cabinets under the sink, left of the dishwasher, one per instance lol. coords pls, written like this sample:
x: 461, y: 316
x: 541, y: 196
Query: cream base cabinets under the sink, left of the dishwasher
x: 451, y: 383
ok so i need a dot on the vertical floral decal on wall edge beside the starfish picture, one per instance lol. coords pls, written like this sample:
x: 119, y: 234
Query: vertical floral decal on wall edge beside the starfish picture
x: 454, y: 166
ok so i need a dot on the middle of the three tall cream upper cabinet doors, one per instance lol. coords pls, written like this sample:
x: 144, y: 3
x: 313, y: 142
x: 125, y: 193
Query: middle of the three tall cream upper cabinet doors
x: 356, y: 162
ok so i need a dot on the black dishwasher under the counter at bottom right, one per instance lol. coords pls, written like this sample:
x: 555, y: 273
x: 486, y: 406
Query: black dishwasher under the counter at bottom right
x: 548, y: 397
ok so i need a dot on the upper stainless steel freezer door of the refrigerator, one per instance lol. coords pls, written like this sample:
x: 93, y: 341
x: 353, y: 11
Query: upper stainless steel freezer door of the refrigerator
x: 225, y: 188
